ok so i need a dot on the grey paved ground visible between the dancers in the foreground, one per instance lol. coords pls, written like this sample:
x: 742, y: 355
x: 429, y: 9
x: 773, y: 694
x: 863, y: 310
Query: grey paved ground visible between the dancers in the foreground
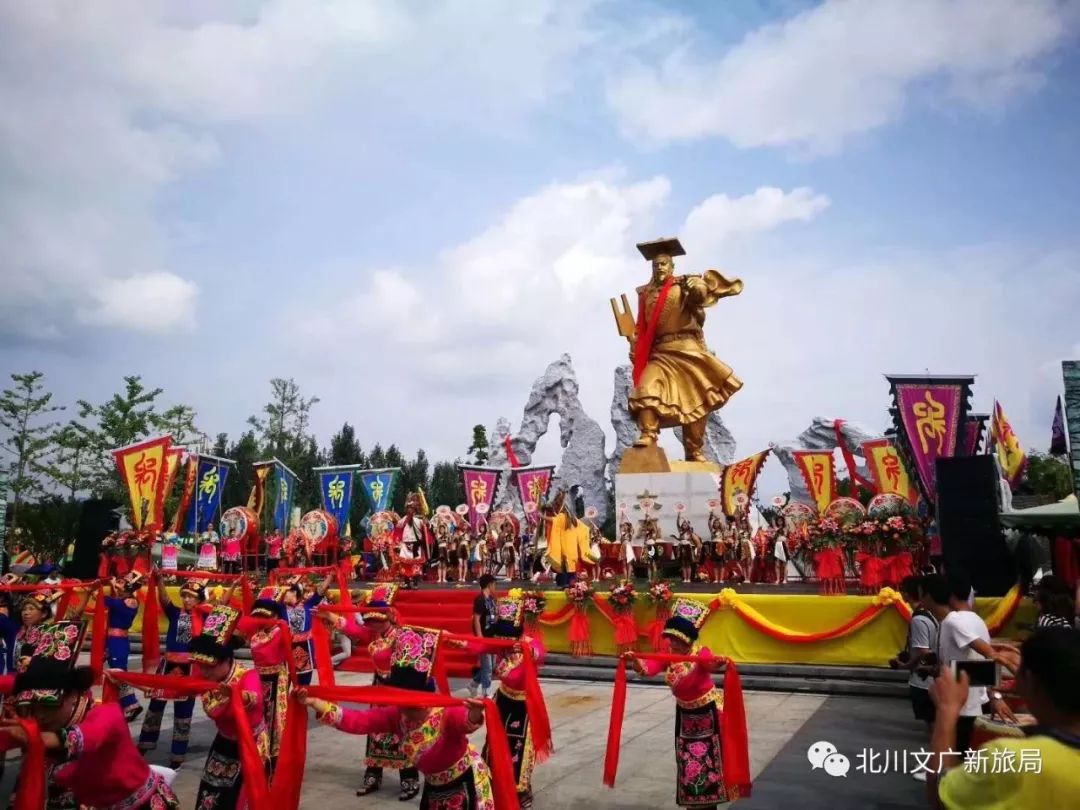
x: 781, y: 730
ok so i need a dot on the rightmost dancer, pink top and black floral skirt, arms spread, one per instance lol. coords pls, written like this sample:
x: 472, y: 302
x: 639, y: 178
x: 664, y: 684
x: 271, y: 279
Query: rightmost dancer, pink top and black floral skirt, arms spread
x: 699, y: 706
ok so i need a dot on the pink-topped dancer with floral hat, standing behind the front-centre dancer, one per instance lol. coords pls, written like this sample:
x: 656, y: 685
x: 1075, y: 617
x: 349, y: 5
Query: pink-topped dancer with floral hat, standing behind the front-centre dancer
x: 384, y: 750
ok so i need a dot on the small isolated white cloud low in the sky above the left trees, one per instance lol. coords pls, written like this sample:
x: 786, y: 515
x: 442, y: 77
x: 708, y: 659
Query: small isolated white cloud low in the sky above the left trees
x: 154, y: 303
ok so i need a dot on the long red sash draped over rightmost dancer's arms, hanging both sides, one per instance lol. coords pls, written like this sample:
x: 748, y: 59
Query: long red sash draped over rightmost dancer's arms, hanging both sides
x: 734, y: 741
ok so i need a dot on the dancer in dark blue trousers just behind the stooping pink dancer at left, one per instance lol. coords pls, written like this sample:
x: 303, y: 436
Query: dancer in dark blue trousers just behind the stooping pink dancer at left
x: 185, y: 624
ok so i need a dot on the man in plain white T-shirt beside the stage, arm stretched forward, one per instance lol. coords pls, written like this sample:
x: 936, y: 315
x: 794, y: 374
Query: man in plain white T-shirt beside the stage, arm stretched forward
x: 964, y: 637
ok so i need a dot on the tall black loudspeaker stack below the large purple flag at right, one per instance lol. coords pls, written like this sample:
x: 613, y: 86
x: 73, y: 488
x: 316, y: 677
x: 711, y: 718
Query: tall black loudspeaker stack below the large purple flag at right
x: 969, y: 525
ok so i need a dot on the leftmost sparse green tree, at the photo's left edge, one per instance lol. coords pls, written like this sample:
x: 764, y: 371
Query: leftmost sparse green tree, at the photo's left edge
x: 29, y: 439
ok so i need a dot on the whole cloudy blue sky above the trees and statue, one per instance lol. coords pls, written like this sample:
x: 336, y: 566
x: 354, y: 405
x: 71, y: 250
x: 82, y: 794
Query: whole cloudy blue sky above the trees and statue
x: 413, y: 209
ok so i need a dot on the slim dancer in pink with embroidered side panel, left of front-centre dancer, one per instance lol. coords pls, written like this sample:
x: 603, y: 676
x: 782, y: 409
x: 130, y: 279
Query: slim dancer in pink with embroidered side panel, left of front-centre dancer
x: 271, y: 653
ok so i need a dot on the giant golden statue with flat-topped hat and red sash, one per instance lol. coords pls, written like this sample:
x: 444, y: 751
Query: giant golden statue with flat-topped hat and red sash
x: 678, y: 382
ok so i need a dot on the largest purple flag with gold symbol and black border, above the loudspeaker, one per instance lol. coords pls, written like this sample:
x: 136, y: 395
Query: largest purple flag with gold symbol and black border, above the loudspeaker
x: 929, y: 413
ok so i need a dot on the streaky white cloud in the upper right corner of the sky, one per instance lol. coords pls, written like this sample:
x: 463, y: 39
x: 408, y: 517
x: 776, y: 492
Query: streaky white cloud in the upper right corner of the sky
x: 839, y: 71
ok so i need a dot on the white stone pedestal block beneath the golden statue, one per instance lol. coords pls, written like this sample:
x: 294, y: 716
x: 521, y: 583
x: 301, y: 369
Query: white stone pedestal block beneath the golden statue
x: 694, y: 489
